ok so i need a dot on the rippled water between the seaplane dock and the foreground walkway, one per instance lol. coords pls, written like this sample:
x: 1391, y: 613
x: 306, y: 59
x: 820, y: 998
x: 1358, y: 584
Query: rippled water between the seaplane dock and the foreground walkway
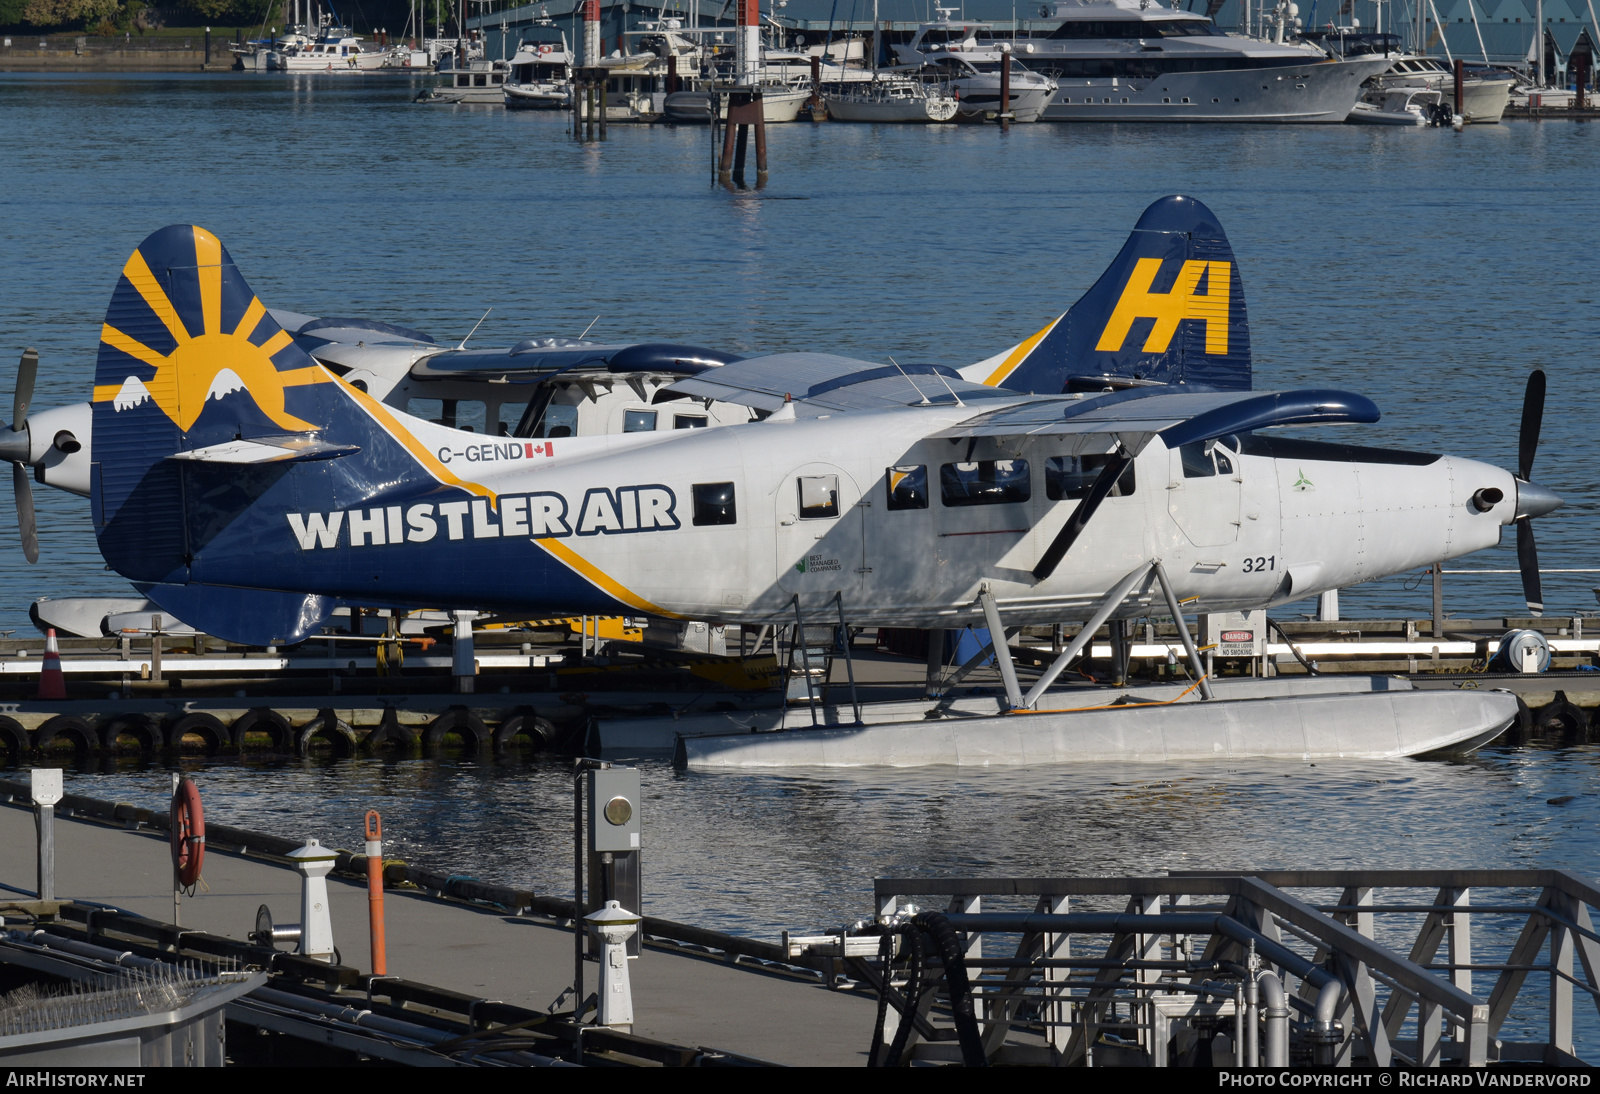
x: 762, y: 853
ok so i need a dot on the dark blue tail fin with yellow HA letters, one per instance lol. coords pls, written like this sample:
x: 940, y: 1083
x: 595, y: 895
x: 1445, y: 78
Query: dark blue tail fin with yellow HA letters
x: 1169, y: 311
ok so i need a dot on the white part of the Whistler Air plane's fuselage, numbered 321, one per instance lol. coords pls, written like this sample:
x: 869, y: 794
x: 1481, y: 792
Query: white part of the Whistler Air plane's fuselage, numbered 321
x: 1263, y: 530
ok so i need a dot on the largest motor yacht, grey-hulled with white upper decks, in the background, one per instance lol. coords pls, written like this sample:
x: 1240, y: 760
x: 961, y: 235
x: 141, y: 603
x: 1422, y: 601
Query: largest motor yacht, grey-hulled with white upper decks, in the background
x: 1138, y: 62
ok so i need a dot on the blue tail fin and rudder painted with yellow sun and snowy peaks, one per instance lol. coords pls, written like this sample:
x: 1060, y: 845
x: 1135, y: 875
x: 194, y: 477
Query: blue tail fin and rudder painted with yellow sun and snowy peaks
x: 191, y: 359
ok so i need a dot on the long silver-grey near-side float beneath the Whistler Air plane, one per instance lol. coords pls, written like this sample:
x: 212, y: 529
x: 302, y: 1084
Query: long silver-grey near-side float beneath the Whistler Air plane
x: 1378, y: 725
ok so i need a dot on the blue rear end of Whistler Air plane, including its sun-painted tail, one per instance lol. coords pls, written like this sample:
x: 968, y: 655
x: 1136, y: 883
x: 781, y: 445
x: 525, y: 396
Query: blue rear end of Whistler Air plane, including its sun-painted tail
x: 249, y: 492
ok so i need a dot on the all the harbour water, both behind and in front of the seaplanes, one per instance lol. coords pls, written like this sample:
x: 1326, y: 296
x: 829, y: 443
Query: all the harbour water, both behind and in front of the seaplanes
x: 1428, y: 270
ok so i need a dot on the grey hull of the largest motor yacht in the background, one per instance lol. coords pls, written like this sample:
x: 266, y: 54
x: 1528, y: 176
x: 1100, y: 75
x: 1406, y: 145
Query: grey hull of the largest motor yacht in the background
x: 1319, y: 92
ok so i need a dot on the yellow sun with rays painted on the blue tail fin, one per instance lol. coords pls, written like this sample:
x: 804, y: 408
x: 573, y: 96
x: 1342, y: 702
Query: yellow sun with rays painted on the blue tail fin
x: 209, y: 364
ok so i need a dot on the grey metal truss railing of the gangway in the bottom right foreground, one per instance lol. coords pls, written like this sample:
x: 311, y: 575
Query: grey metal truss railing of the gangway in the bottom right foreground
x: 1374, y: 967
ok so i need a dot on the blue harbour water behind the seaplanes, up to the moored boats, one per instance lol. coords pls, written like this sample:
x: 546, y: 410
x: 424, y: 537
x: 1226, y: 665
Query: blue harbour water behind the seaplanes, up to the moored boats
x: 1423, y: 268
